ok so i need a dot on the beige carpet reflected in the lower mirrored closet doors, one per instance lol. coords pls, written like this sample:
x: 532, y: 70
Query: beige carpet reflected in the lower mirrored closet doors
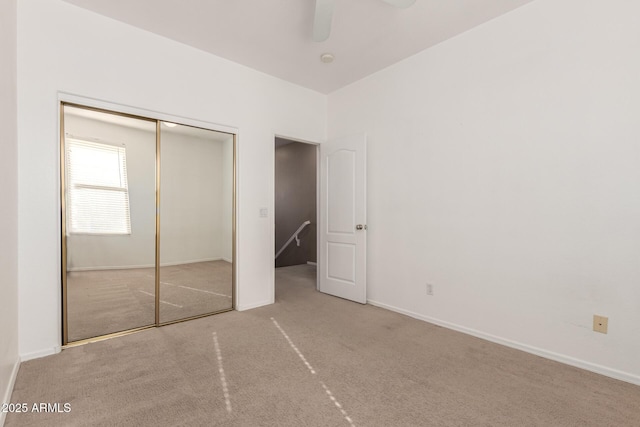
x: 101, y: 302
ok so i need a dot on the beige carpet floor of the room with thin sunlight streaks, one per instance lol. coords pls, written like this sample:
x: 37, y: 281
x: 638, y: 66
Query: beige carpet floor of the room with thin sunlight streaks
x: 340, y: 364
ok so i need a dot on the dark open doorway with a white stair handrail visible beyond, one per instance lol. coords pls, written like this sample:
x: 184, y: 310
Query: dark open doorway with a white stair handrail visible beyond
x: 296, y: 202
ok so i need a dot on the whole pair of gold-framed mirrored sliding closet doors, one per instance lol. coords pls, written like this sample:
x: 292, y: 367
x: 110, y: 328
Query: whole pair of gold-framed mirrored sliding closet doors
x: 132, y: 259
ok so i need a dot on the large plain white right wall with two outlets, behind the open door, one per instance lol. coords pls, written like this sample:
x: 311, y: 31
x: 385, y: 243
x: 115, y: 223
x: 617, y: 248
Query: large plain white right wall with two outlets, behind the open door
x: 504, y: 169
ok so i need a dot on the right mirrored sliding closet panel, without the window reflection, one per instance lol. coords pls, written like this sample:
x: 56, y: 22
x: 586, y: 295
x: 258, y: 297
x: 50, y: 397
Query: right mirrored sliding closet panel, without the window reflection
x: 196, y: 221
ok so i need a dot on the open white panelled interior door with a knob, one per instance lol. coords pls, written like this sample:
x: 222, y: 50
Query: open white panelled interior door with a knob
x: 343, y: 218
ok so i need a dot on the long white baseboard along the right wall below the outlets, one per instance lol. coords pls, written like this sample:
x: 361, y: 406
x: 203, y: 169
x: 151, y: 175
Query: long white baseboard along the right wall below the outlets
x: 568, y: 360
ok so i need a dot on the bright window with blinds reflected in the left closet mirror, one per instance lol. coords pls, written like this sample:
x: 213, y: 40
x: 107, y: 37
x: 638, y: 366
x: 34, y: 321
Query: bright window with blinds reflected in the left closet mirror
x: 98, y: 194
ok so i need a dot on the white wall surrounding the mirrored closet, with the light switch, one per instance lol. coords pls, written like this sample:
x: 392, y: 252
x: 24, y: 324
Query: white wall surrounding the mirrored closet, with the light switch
x: 65, y: 48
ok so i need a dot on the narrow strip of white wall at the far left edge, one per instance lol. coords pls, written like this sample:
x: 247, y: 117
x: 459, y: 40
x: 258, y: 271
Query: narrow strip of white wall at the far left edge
x: 8, y: 206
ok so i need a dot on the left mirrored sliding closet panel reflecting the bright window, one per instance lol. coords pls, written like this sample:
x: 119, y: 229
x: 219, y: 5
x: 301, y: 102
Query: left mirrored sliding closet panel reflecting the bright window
x: 109, y: 184
